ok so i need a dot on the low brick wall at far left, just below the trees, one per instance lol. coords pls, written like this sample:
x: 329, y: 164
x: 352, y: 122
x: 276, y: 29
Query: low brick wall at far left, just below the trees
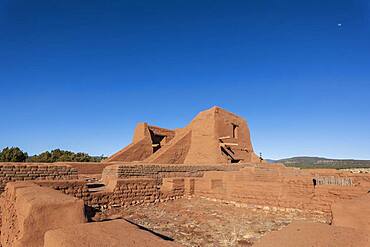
x: 34, y: 171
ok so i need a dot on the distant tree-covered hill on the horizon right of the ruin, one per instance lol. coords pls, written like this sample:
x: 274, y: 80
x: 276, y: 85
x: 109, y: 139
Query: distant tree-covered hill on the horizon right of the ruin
x: 319, y: 162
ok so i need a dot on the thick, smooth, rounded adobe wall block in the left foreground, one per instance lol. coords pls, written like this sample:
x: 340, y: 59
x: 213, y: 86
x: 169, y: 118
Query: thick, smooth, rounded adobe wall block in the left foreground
x: 29, y: 210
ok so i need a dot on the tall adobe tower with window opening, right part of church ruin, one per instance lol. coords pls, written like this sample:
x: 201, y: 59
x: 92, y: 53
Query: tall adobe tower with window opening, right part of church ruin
x: 214, y: 138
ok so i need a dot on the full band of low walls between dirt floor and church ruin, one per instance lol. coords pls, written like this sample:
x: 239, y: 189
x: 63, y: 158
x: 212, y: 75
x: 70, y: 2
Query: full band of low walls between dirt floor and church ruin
x: 268, y: 185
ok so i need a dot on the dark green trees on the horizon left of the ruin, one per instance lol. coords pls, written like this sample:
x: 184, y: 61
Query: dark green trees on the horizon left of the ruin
x: 15, y: 154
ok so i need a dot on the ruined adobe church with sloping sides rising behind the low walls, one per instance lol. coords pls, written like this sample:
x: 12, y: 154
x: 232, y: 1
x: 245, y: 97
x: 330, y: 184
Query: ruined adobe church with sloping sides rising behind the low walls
x: 213, y: 136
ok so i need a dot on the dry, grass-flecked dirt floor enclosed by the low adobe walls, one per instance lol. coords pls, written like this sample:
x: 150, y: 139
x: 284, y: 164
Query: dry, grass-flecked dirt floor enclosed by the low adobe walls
x: 203, y: 222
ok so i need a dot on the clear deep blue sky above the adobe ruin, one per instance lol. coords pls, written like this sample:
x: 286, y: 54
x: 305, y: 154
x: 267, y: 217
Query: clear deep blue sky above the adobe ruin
x: 78, y: 75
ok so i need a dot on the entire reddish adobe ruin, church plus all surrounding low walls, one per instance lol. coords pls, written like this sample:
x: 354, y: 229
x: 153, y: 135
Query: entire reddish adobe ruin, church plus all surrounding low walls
x: 45, y: 204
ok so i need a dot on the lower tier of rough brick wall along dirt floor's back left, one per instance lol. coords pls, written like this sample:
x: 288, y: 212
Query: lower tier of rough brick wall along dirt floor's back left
x: 126, y: 192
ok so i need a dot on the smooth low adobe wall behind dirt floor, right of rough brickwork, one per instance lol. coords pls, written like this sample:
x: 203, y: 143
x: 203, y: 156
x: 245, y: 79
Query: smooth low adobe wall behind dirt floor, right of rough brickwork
x: 278, y: 186
